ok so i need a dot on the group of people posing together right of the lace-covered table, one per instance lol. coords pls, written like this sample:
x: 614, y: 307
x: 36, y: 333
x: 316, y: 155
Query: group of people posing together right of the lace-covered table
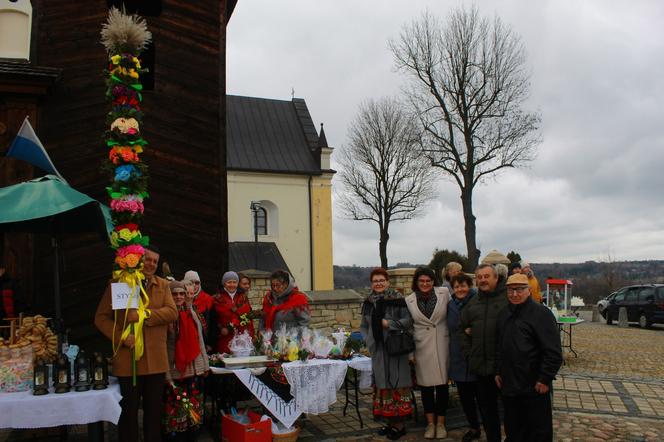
x: 495, y: 341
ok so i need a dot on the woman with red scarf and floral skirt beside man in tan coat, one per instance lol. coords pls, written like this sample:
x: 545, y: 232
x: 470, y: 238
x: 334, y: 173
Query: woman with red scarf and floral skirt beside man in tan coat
x: 188, y: 364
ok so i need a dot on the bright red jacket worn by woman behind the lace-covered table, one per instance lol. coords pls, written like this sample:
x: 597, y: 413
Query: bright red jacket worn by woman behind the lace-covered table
x: 228, y: 311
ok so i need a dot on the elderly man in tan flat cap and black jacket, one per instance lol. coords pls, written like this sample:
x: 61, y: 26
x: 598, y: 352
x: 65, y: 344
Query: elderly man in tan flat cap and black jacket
x: 528, y: 357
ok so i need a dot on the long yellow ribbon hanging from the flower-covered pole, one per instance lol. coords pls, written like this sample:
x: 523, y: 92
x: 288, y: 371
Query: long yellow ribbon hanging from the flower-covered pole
x: 133, y: 279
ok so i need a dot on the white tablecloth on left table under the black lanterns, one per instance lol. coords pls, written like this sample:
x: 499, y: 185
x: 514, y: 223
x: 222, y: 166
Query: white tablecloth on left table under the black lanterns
x: 23, y: 410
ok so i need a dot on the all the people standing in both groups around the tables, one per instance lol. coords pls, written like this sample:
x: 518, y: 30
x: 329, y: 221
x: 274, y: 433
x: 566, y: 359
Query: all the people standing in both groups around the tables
x: 495, y: 341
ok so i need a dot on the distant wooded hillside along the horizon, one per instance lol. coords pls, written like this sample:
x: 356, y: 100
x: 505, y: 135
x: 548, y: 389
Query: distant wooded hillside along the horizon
x: 592, y: 280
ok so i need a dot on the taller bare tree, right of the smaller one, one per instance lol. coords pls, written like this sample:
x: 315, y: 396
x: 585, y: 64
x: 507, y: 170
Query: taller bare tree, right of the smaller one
x: 468, y: 84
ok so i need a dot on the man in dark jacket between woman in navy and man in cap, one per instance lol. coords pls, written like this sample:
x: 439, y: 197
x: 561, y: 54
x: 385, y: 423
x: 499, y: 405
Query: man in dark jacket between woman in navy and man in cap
x: 478, y: 321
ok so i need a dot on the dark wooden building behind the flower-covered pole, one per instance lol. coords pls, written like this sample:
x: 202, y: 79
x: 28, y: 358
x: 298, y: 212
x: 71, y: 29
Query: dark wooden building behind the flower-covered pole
x: 62, y: 87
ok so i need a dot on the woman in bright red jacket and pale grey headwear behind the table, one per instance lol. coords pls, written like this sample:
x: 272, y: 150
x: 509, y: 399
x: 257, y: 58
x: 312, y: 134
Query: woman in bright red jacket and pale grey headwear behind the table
x: 232, y: 312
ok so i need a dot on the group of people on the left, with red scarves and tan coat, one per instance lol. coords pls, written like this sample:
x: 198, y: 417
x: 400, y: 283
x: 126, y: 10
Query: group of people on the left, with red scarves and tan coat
x: 184, y: 324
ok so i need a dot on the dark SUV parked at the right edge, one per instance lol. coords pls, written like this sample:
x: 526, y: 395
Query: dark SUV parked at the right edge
x: 644, y: 304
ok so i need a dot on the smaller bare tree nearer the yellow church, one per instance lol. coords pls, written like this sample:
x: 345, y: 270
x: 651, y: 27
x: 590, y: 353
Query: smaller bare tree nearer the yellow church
x: 384, y: 178
